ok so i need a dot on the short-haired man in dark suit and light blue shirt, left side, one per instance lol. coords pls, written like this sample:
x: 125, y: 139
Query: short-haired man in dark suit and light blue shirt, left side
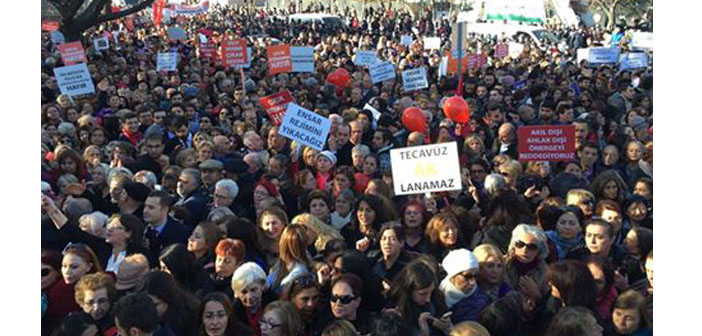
x: 162, y: 229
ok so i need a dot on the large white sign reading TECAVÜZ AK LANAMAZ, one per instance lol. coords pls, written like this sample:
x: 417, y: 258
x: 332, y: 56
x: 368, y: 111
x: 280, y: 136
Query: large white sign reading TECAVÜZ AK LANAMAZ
x: 422, y: 169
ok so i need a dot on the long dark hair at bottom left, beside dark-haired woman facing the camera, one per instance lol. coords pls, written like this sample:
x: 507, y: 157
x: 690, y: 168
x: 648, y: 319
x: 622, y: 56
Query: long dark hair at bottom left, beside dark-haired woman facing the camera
x: 181, y: 315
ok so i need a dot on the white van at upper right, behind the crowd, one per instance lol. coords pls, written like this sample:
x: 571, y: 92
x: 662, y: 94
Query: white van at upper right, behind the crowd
x: 539, y: 34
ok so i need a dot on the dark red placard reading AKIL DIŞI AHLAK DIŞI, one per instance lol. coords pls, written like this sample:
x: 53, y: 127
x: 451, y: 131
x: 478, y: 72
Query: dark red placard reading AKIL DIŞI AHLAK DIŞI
x: 546, y: 143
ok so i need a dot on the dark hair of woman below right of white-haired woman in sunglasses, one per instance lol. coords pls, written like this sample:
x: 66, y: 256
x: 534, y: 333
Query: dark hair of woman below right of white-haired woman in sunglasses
x: 574, y: 282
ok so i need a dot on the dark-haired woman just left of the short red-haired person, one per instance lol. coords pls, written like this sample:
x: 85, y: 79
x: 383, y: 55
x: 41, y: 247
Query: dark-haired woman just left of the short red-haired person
x: 179, y: 263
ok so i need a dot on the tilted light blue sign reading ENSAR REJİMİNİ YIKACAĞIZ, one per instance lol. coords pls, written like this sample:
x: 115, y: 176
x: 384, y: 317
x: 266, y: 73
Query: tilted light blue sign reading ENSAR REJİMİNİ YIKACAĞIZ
x: 305, y: 127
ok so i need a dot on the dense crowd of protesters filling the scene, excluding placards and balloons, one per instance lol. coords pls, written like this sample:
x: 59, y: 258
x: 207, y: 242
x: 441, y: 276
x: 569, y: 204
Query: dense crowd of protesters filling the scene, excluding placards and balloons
x: 172, y: 205
